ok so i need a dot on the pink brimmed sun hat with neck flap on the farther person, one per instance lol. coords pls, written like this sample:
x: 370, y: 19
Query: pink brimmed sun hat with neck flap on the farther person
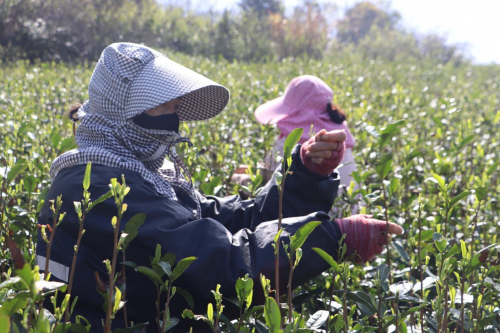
x: 303, y: 104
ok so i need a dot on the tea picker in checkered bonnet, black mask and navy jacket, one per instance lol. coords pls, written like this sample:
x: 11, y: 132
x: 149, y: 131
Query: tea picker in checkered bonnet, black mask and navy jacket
x: 137, y: 97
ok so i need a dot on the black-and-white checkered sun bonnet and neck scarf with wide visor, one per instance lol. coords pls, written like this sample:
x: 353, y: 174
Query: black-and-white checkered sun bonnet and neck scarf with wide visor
x: 128, y: 80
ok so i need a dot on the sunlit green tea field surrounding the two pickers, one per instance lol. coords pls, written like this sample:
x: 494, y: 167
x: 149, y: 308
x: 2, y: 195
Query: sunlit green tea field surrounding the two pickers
x: 428, y: 157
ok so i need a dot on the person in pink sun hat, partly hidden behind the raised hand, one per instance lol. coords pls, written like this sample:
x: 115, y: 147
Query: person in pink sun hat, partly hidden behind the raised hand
x: 307, y: 103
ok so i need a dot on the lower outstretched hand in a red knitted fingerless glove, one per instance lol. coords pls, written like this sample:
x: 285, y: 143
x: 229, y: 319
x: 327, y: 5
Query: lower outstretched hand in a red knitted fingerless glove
x: 366, y: 236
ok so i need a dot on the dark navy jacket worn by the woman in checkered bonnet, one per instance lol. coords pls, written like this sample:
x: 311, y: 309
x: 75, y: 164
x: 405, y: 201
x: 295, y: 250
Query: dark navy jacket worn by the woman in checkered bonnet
x: 233, y: 238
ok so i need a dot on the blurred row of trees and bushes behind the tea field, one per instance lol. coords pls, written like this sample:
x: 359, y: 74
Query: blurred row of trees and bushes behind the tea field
x: 259, y: 30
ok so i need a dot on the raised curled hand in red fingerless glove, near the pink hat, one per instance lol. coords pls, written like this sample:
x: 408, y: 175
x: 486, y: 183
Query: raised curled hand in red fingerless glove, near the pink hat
x: 324, y: 152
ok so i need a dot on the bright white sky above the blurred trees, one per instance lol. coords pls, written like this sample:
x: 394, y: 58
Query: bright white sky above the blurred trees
x: 474, y: 24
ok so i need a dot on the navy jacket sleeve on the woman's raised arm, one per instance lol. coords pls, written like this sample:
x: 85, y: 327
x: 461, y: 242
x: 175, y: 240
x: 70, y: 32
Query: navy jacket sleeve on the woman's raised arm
x: 305, y: 192
